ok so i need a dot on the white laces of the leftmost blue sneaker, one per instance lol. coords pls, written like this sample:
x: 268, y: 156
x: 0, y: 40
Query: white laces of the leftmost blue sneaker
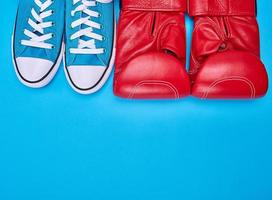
x: 39, y: 40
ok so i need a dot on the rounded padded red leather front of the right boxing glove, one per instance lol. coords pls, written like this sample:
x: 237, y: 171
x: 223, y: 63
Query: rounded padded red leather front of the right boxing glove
x: 243, y: 76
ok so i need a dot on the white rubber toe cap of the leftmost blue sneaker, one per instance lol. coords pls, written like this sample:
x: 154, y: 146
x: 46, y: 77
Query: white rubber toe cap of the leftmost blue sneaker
x: 33, y: 69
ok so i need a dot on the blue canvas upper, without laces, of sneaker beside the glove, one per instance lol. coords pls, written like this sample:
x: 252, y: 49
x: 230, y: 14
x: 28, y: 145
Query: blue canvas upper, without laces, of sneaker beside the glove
x: 106, y: 19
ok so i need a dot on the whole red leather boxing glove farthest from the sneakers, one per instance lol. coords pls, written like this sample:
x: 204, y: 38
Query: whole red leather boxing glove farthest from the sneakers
x: 225, y: 55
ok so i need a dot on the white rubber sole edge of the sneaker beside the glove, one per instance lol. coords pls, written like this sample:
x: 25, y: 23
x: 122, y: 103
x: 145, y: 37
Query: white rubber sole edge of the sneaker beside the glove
x: 102, y: 82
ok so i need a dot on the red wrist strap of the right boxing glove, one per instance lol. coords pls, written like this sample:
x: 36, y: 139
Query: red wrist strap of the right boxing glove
x: 221, y: 7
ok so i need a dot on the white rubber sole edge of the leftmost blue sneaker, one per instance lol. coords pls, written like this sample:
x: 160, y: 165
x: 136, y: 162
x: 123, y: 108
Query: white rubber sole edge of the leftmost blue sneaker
x: 44, y: 81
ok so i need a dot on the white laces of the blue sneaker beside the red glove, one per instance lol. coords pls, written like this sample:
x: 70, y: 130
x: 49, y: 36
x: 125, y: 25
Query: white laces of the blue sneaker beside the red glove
x: 87, y: 46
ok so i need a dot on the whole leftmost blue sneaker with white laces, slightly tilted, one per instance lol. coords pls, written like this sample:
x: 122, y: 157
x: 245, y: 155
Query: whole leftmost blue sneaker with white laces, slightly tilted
x: 37, y: 41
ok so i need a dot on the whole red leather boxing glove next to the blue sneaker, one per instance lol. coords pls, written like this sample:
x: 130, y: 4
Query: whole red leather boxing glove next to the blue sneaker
x: 151, y: 49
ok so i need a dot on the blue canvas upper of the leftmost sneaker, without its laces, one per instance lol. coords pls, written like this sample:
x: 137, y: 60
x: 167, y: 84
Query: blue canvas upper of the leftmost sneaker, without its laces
x: 23, y: 15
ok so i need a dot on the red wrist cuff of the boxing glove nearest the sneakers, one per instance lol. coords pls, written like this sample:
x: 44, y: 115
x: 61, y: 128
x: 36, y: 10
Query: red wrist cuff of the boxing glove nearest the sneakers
x: 154, y: 5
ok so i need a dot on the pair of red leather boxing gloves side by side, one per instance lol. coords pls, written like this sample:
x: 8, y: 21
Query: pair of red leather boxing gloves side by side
x: 225, y: 54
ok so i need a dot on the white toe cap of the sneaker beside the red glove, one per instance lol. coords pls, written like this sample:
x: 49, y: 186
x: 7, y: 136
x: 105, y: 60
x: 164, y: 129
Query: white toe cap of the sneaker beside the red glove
x: 85, y: 78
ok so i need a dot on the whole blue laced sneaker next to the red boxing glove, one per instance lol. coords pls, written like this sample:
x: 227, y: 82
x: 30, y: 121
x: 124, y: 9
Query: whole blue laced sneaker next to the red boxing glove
x: 90, y: 43
